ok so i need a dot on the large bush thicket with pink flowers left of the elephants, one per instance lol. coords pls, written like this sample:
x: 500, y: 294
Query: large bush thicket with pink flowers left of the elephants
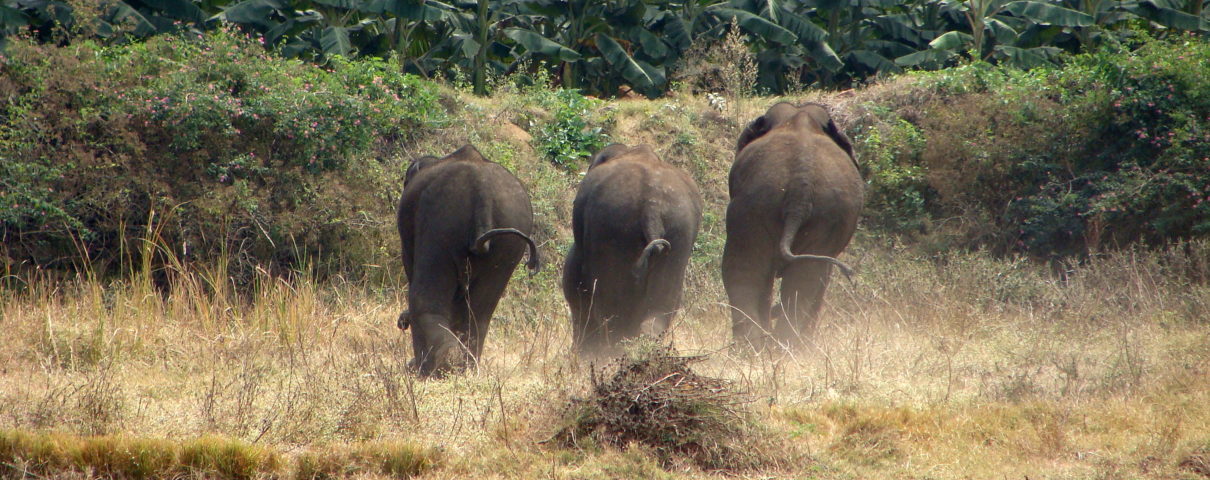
x: 231, y: 149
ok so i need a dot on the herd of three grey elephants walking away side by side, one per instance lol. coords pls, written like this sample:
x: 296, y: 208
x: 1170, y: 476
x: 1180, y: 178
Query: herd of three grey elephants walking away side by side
x: 465, y: 224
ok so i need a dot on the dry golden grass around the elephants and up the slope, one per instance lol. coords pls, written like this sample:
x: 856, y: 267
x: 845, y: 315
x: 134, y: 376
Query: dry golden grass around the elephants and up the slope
x: 960, y: 367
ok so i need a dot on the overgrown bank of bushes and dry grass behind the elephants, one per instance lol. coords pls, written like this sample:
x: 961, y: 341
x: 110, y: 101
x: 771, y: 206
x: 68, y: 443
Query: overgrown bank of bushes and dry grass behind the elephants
x: 217, y: 149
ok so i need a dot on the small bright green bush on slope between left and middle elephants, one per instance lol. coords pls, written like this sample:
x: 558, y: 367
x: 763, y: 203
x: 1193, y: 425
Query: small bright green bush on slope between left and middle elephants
x: 575, y: 131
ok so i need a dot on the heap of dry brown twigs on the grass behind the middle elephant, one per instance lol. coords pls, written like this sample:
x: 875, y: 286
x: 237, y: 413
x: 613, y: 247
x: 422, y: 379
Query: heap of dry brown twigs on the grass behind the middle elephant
x: 652, y: 398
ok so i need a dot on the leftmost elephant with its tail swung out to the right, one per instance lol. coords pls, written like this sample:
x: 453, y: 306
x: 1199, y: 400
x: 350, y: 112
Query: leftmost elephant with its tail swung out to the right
x: 465, y: 224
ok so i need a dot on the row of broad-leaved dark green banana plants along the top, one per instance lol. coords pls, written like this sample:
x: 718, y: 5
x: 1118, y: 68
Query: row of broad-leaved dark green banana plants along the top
x: 600, y: 47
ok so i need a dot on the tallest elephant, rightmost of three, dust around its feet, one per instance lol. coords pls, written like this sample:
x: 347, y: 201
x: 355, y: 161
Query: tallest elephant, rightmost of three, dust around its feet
x: 796, y: 188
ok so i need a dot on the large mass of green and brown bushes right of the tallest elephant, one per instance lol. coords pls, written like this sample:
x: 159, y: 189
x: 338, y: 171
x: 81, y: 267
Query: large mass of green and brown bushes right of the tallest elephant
x: 1107, y: 151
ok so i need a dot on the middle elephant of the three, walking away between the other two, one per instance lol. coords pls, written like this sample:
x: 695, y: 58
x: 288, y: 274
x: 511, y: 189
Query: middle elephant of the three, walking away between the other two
x: 635, y: 223
